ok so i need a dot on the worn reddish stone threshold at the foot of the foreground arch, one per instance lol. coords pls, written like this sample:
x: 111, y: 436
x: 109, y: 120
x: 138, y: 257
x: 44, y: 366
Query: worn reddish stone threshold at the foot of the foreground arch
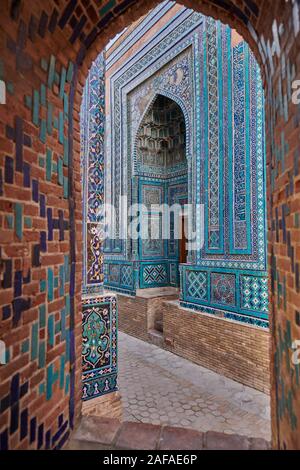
x: 96, y: 433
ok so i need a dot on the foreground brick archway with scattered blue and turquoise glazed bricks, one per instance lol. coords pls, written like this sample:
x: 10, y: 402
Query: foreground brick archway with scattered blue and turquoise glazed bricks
x: 47, y: 48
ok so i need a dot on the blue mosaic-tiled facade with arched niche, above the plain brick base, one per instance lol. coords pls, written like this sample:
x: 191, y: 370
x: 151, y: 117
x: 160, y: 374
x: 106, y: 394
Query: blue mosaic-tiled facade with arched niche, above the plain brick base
x: 212, y: 77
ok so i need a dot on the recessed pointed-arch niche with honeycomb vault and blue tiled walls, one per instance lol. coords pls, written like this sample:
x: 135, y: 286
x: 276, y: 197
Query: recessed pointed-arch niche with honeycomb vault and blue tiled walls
x: 161, y: 152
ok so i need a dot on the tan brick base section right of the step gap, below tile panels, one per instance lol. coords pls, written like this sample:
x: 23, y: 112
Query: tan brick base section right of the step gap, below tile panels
x: 238, y: 351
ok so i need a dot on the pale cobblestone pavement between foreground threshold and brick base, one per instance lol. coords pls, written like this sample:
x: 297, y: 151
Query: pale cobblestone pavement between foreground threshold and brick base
x: 159, y: 387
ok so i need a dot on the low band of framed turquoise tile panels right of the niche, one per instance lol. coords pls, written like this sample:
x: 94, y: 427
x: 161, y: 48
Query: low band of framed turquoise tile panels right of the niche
x: 241, y: 296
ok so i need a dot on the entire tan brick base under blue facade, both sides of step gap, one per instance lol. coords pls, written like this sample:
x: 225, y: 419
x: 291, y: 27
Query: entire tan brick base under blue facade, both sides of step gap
x: 236, y: 350
